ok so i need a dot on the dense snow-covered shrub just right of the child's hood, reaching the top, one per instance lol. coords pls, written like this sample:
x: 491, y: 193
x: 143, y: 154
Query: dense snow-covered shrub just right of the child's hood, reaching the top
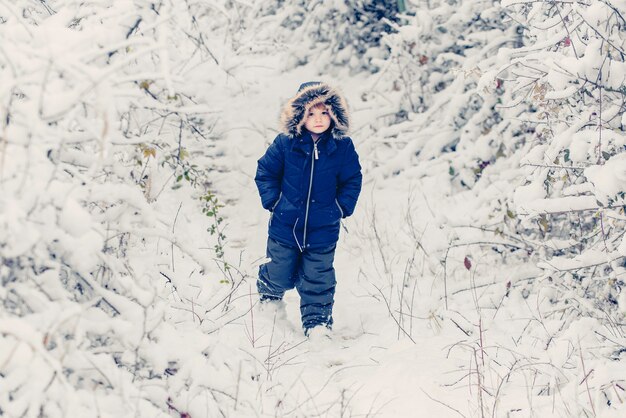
x: 437, y: 57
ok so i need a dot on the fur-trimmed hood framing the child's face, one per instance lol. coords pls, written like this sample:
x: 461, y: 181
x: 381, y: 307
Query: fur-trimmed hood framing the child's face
x: 292, y: 117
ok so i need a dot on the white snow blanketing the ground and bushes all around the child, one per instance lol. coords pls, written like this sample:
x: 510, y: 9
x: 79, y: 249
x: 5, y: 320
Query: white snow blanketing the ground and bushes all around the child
x: 478, y: 276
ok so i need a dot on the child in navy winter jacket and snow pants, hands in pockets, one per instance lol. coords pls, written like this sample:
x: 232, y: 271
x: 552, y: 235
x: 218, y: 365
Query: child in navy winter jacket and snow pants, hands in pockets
x: 309, y: 179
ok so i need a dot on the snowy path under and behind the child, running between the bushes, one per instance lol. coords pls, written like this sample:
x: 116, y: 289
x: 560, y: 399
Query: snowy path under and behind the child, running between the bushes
x: 369, y: 369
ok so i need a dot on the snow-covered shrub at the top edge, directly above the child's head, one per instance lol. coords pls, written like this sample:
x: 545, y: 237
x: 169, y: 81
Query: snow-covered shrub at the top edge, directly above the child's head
x: 332, y: 34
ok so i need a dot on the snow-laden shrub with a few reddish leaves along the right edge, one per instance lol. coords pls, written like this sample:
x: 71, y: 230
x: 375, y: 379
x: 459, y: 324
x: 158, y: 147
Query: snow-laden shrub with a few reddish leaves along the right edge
x: 571, y: 74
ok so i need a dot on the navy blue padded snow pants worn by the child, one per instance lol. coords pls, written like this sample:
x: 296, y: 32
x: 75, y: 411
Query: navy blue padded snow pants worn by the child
x: 311, y: 272
